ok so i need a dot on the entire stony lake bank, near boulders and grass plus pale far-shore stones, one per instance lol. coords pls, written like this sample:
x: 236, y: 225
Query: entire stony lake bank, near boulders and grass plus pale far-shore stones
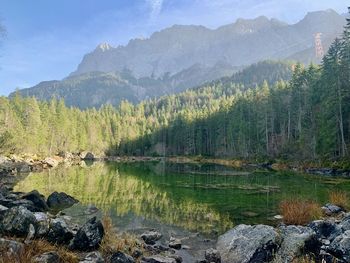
x: 29, y: 220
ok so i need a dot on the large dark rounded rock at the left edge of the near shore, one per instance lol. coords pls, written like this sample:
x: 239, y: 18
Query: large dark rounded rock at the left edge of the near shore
x: 16, y: 221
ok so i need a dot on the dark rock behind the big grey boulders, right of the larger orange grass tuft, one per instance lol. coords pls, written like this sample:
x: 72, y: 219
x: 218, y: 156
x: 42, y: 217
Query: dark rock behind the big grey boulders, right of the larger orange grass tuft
x: 325, y: 229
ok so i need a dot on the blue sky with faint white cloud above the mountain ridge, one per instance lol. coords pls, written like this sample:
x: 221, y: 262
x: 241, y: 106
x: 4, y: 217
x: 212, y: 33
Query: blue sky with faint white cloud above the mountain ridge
x: 47, y: 39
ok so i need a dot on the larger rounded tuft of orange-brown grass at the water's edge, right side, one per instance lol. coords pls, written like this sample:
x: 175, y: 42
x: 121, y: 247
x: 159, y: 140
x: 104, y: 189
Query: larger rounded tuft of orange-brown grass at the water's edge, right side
x: 299, y: 212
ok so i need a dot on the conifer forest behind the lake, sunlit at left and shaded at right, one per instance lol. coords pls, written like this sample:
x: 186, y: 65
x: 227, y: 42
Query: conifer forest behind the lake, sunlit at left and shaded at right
x: 260, y: 112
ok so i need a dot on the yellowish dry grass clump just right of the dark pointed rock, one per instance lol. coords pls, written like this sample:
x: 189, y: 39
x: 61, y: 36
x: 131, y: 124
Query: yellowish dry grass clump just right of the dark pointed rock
x: 112, y: 242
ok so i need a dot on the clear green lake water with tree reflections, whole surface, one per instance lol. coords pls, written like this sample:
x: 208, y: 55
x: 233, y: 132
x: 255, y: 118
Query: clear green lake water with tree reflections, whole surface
x: 206, y: 199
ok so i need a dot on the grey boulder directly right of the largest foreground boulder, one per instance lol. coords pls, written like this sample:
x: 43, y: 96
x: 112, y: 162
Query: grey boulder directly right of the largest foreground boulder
x: 294, y: 240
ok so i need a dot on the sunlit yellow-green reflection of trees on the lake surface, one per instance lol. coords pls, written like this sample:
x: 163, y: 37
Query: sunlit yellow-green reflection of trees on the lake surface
x: 125, y: 190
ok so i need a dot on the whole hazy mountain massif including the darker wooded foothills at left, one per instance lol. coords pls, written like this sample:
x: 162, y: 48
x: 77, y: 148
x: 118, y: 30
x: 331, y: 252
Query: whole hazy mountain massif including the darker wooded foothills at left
x: 182, y: 57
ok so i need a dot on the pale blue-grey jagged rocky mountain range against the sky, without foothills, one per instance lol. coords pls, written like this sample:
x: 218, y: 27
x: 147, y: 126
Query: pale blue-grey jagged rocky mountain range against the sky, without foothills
x: 244, y: 42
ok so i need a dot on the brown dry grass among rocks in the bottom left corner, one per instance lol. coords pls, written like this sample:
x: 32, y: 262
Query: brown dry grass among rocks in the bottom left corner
x: 38, y: 247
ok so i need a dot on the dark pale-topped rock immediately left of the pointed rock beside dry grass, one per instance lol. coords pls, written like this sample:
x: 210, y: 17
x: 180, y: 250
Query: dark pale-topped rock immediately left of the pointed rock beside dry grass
x: 59, y: 232
